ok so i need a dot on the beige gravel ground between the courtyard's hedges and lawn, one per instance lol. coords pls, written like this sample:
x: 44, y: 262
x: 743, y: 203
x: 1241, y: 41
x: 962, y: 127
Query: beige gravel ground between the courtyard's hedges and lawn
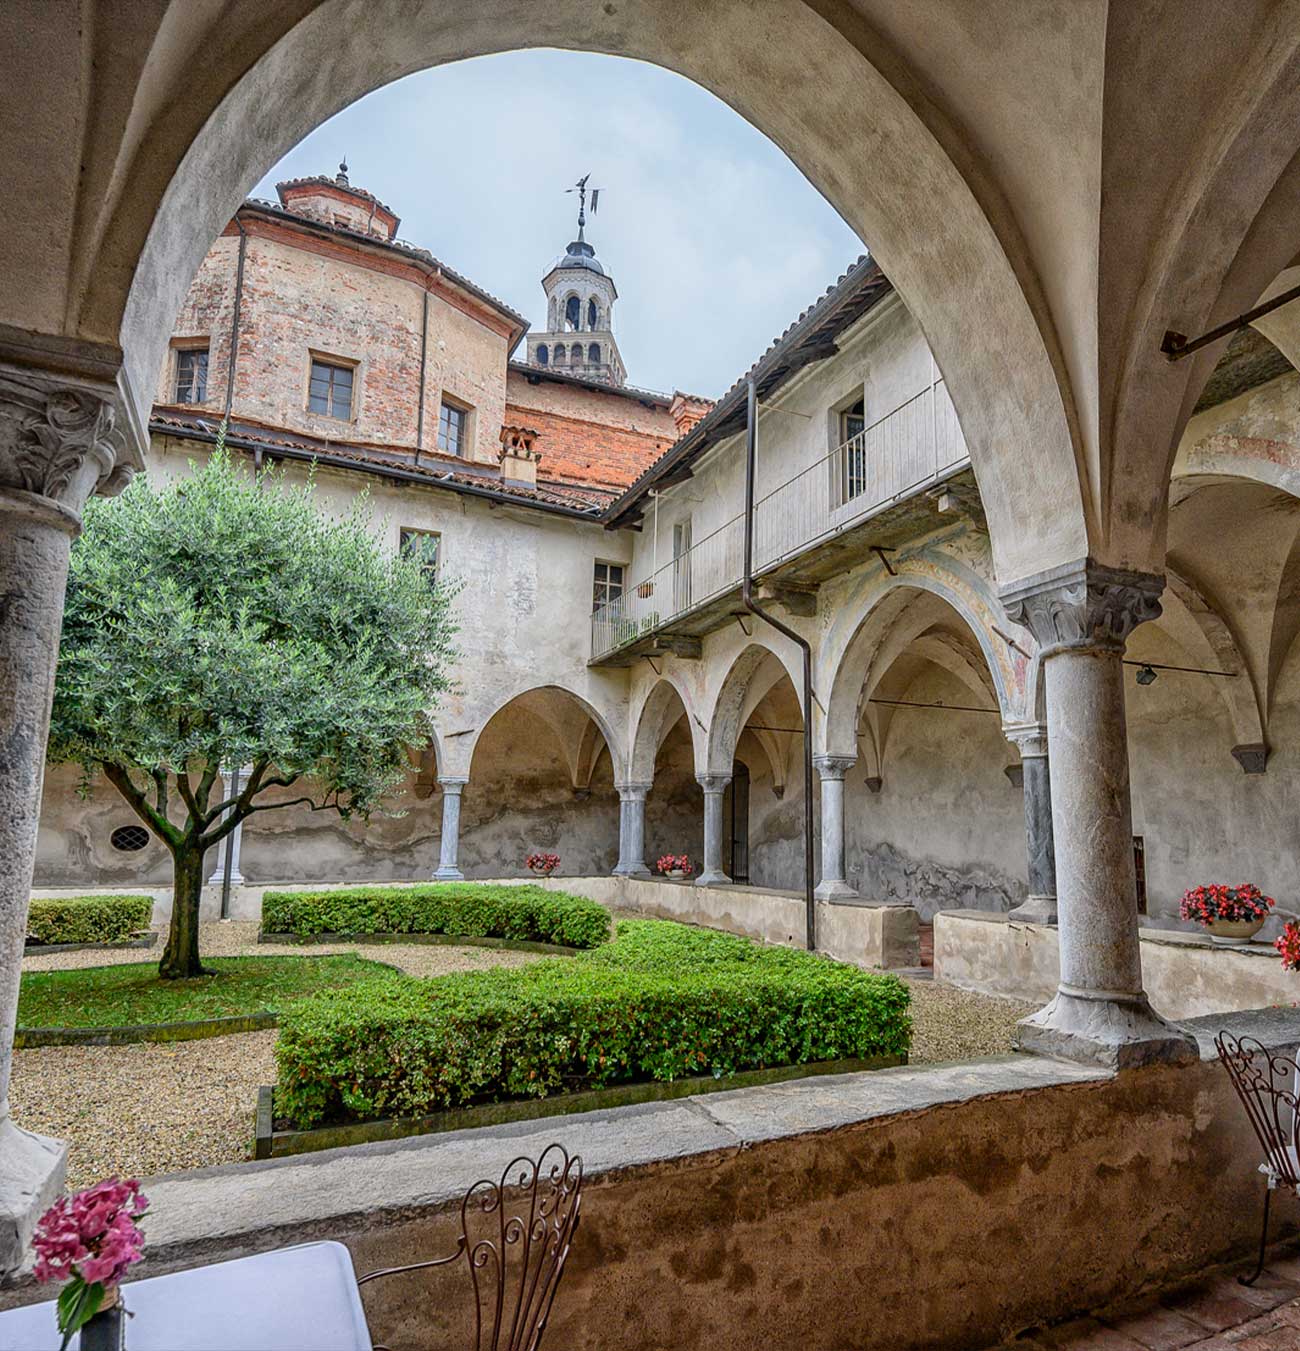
x: 160, y: 1108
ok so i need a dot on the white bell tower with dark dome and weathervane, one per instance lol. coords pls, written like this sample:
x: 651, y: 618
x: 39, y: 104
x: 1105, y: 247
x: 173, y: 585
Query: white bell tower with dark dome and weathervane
x: 580, y: 295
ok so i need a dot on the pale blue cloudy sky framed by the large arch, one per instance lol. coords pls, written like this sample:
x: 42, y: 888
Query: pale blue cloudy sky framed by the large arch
x: 714, y: 238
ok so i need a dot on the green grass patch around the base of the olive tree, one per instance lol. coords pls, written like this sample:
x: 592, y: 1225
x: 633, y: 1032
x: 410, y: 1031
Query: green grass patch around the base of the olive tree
x: 132, y: 994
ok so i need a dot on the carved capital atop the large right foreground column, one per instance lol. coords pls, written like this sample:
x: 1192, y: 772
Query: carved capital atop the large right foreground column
x: 1083, y: 606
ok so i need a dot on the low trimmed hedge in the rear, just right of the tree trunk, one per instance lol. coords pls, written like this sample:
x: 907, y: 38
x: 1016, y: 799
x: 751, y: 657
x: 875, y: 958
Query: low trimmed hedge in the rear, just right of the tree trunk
x: 472, y: 910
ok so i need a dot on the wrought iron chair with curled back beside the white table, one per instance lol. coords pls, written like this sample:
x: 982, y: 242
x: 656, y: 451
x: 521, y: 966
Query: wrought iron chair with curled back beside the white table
x: 516, y: 1240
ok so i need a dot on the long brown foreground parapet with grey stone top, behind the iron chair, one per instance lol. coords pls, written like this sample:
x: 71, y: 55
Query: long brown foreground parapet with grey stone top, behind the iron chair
x: 898, y: 1211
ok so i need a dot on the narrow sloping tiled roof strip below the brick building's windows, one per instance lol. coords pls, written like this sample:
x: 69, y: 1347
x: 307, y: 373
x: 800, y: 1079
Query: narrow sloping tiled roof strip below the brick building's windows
x: 433, y: 468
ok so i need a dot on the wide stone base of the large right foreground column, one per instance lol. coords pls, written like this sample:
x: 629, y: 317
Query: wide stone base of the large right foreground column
x: 1118, y: 1034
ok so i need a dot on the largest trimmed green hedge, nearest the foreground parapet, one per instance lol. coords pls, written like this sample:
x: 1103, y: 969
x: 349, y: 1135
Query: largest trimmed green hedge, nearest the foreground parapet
x: 663, y: 1002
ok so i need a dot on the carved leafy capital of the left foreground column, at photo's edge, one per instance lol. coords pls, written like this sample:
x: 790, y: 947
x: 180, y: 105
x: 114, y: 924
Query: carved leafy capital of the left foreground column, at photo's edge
x: 60, y: 440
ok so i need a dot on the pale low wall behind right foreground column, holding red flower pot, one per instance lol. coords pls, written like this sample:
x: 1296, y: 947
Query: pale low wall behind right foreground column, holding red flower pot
x: 1186, y: 975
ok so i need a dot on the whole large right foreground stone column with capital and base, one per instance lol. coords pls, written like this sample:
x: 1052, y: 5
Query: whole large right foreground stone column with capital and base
x: 1082, y: 617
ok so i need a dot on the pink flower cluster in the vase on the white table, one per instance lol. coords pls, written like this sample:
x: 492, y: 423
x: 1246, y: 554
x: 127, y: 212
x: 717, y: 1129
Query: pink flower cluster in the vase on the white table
x: 93, y: 1235
